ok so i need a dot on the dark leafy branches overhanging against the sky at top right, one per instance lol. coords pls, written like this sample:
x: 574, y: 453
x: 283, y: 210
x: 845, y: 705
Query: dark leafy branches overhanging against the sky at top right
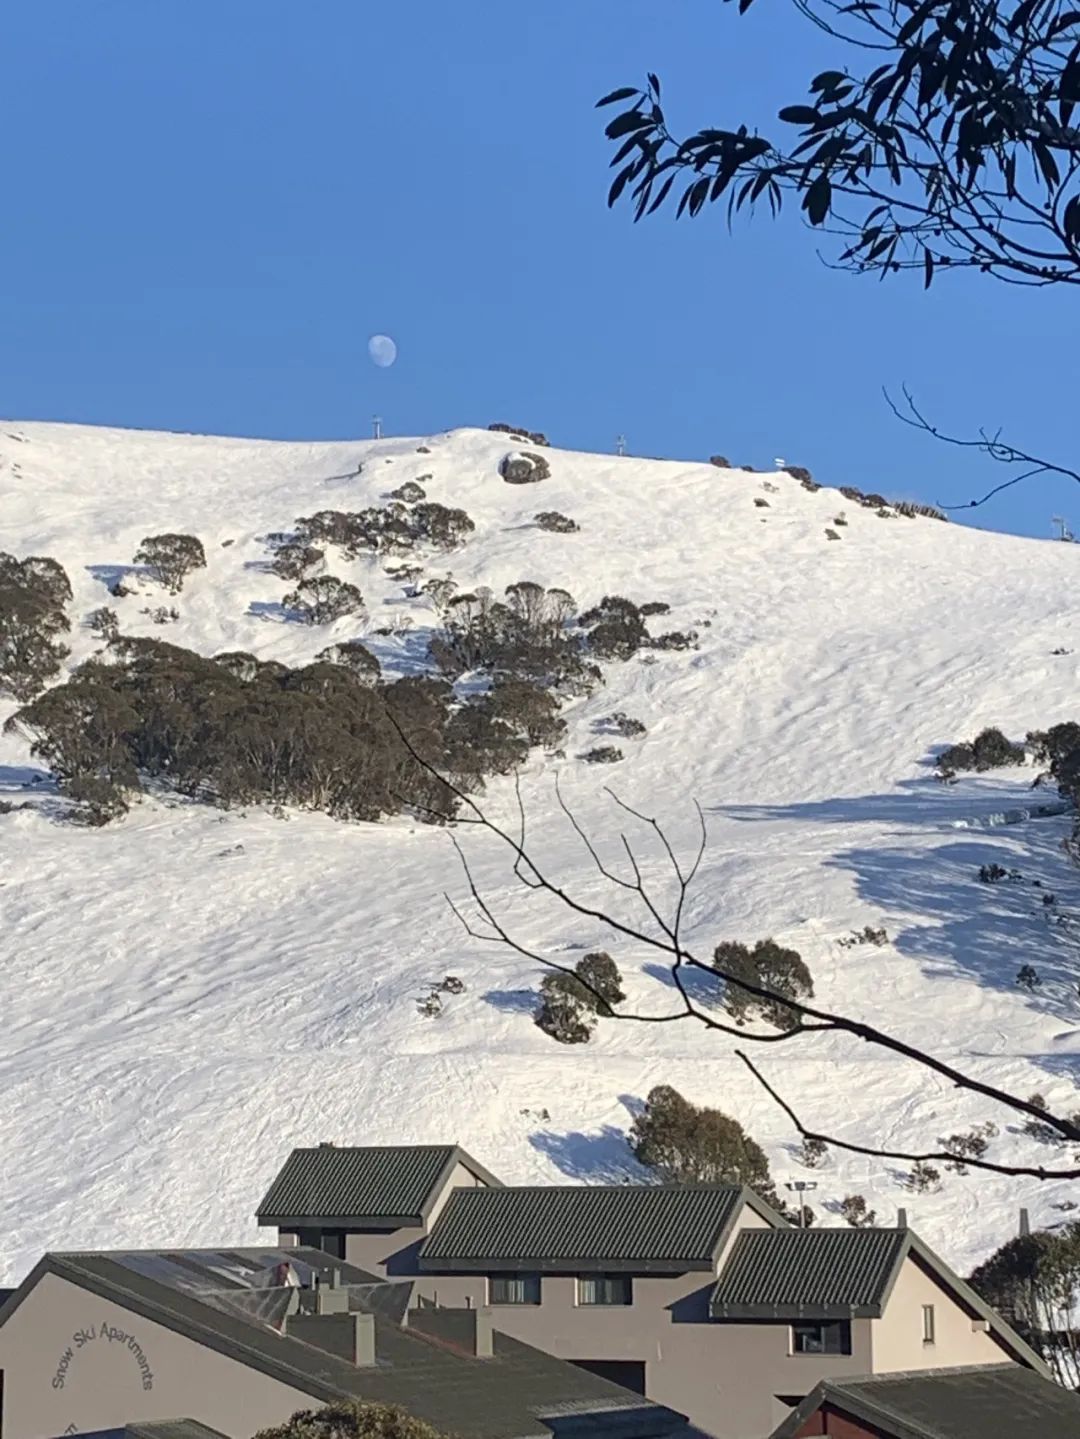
x: 950, y: 142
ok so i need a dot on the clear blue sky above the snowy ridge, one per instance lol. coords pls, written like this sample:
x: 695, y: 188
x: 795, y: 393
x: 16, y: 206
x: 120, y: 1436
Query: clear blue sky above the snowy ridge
x: 211, y: 205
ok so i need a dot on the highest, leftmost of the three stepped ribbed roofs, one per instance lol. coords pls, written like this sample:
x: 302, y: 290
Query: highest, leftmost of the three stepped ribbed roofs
x: 395, y: 1185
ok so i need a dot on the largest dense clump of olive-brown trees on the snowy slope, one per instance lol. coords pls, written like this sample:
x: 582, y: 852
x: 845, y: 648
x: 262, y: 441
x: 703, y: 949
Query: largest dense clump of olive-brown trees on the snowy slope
x: 242, y: 732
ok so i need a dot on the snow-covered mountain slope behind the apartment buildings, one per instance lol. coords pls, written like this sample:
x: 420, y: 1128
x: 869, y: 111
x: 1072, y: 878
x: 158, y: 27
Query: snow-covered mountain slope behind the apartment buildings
x: 189, y: 994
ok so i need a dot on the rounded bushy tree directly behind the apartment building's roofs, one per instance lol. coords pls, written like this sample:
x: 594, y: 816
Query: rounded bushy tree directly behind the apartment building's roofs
x: 687, y: 1145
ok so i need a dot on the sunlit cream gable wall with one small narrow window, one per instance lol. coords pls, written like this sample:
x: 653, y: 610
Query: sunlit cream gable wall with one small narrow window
x: 898, y: 1342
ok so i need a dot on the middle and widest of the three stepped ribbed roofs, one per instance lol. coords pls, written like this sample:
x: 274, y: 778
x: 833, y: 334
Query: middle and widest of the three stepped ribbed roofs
x: 642, y: 1228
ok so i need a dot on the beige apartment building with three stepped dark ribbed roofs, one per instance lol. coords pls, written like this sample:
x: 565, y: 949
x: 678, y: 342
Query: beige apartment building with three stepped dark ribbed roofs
x: 701, y: 1299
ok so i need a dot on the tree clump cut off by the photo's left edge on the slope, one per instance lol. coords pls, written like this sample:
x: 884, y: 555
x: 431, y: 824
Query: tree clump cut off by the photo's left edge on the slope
x: 34, y: 595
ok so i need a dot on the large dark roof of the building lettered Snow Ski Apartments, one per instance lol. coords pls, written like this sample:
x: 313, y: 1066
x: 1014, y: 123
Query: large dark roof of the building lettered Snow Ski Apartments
x: 226, y: 1302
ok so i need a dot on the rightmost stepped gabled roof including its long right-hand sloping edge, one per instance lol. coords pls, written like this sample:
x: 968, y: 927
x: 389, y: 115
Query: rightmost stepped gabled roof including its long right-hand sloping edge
x: 835, y: 1274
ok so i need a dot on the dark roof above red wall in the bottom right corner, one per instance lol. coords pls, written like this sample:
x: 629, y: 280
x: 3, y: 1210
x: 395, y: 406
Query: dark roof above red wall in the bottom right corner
x: 948, y: 1404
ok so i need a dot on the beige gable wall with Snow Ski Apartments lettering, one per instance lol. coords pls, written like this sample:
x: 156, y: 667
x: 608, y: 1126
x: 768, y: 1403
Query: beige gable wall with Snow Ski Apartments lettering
x: 55, y: 1385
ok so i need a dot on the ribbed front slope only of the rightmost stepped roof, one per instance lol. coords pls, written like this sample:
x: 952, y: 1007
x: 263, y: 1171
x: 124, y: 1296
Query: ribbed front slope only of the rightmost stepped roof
x: 820, y: 1273
